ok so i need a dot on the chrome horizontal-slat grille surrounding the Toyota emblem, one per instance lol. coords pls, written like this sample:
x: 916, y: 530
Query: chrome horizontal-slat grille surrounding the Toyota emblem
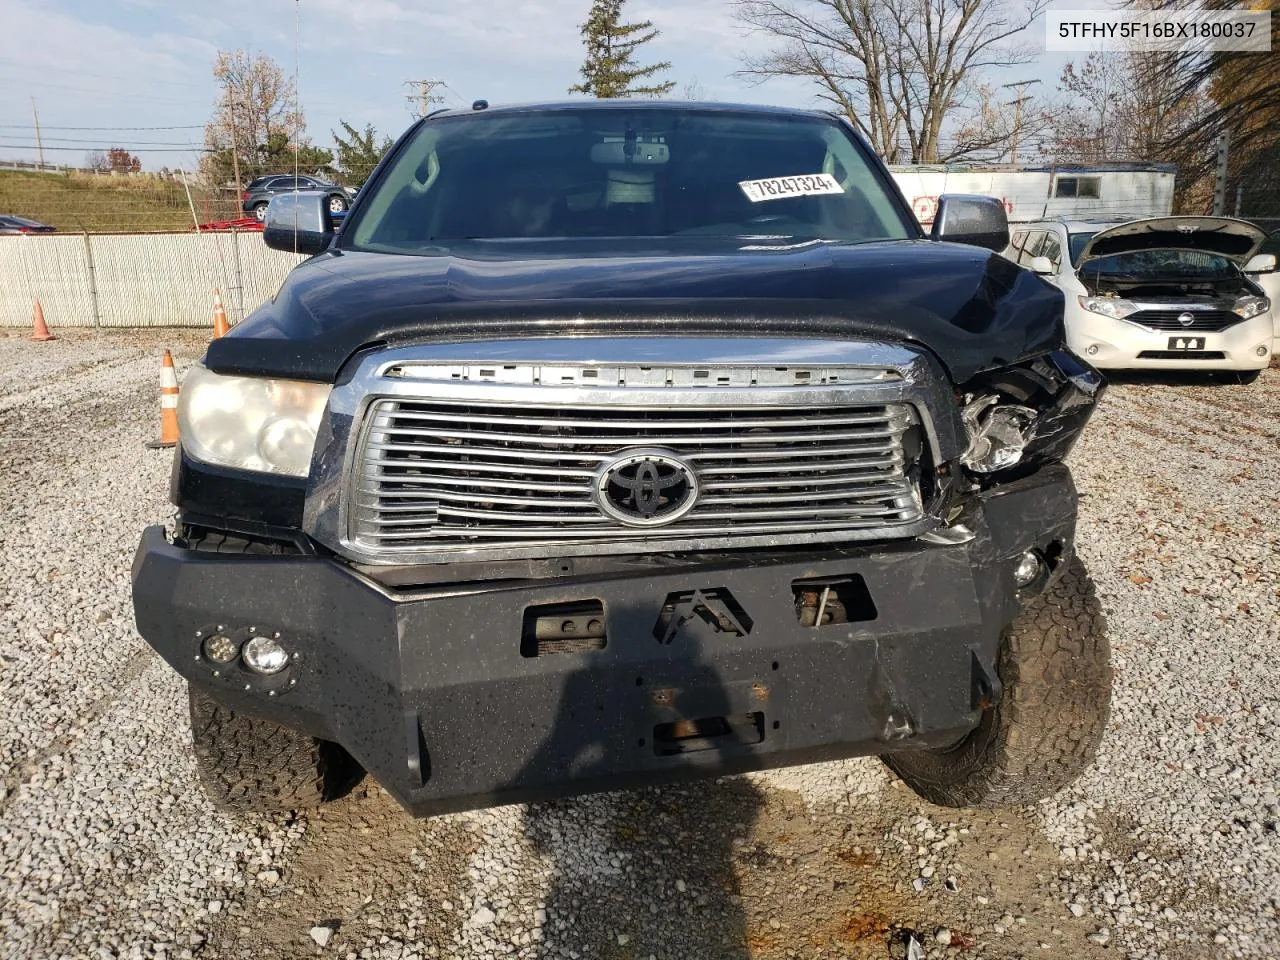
x: 444, y: 478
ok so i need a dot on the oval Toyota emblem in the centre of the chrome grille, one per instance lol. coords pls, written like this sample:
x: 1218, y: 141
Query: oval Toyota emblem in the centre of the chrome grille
x: 647, y: 488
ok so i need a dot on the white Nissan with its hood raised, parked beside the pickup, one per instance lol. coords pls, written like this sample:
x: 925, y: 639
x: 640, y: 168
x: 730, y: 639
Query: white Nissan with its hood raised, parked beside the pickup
x: 1173, y: 292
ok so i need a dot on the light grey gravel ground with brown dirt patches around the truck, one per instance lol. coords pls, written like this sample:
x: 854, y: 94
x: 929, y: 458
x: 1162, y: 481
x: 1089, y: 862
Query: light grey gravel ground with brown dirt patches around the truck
x: 1168, y: 848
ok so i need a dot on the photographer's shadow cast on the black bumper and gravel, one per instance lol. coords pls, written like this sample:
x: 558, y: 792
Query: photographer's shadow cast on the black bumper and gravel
x: 650, y: 872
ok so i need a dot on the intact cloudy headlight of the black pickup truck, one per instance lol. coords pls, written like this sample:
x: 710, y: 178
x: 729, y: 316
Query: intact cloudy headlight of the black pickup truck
x: 252, y: 423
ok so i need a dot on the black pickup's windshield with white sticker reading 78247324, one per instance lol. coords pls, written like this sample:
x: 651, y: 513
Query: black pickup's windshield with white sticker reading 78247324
x: 609, y: 172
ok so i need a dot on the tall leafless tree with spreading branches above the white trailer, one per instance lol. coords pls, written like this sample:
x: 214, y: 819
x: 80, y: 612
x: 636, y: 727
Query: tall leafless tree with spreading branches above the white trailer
x: 900, y: 71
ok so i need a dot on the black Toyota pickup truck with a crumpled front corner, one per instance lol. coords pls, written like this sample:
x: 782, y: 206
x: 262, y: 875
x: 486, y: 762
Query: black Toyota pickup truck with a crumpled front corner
x: 611, y: 445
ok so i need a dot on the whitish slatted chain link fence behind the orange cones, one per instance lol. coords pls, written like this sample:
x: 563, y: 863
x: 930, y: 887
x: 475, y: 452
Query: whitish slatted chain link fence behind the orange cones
x: 153, y: 280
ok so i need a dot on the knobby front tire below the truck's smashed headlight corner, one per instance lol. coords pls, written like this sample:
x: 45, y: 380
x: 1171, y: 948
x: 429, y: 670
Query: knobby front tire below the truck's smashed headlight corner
x: 1055, y: 664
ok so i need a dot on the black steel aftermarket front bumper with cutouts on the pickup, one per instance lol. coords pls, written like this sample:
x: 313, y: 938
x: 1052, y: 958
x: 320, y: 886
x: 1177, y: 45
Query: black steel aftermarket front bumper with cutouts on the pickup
x: 432, y: 692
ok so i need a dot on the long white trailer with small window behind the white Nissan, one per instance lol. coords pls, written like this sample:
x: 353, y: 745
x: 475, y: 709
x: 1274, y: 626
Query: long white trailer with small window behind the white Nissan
x: 1044, y: 193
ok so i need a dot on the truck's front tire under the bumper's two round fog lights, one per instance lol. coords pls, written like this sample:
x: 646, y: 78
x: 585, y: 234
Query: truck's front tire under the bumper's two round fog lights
x: 246, y: 764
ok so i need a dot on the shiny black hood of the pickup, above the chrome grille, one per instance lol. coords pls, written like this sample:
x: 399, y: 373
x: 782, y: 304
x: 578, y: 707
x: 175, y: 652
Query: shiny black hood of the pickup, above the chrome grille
x: 973, y: 309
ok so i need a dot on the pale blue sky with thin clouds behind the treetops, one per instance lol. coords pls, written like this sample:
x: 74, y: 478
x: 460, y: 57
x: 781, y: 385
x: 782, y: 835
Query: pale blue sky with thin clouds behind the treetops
x: 147, y: 63
